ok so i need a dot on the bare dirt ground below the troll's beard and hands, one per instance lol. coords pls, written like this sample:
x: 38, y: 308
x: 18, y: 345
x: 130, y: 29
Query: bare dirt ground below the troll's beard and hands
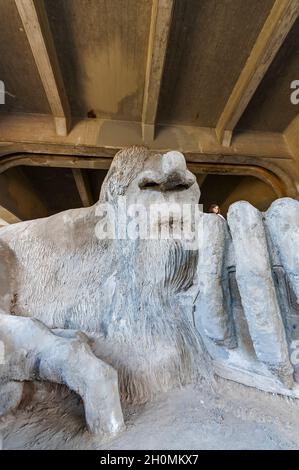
x: 235, y: 417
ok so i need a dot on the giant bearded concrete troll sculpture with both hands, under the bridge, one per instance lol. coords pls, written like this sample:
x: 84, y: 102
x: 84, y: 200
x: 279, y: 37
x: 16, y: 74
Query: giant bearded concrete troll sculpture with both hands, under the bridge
x: 76, y: 290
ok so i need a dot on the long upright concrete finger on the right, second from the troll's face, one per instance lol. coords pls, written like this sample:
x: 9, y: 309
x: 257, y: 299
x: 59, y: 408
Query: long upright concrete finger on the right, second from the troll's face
x: 256, y: 286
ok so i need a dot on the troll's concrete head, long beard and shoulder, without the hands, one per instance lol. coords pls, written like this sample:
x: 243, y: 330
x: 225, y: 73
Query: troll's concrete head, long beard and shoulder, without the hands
x: 69, y: 279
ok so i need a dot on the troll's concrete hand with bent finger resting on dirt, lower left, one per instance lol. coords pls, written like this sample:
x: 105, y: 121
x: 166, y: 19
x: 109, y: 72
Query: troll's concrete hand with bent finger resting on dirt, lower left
x: 33, y: 352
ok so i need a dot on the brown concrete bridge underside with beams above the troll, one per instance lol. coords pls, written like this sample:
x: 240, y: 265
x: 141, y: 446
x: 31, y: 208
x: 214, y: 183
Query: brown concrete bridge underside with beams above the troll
x: 85, y: 79
